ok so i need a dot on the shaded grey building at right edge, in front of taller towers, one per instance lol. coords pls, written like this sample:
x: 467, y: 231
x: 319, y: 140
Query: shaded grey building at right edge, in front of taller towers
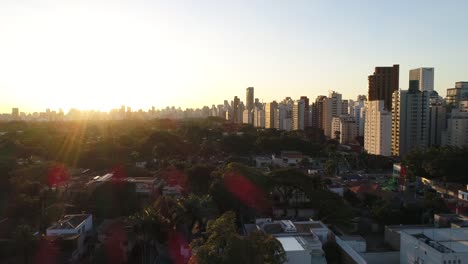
x: 457, y: 130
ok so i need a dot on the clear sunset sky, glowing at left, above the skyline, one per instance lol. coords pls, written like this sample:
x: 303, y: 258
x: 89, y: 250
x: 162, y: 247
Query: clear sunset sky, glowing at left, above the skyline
x: 100, y: 54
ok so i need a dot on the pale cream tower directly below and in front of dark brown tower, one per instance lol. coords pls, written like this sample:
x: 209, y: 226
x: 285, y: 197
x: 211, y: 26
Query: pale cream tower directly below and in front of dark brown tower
x: 377, y: 129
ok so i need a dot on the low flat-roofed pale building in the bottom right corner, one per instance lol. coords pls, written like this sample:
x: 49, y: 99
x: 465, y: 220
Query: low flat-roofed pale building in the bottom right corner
x: 434, y: 246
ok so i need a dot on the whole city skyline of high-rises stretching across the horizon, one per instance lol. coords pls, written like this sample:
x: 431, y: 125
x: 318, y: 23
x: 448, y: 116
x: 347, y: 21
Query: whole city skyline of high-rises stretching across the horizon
x: 391, y: 121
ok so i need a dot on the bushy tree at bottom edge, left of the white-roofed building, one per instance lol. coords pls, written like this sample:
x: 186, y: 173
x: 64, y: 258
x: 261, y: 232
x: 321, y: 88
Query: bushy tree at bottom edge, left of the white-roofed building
x: 224, y: 245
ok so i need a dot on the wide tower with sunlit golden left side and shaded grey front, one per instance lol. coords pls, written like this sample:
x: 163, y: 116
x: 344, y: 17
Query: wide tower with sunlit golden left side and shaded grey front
x: 410, y: 120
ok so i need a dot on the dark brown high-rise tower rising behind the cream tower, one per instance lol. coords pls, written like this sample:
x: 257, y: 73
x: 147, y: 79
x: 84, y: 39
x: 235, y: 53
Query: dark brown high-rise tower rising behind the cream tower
x: 383, y: 83
